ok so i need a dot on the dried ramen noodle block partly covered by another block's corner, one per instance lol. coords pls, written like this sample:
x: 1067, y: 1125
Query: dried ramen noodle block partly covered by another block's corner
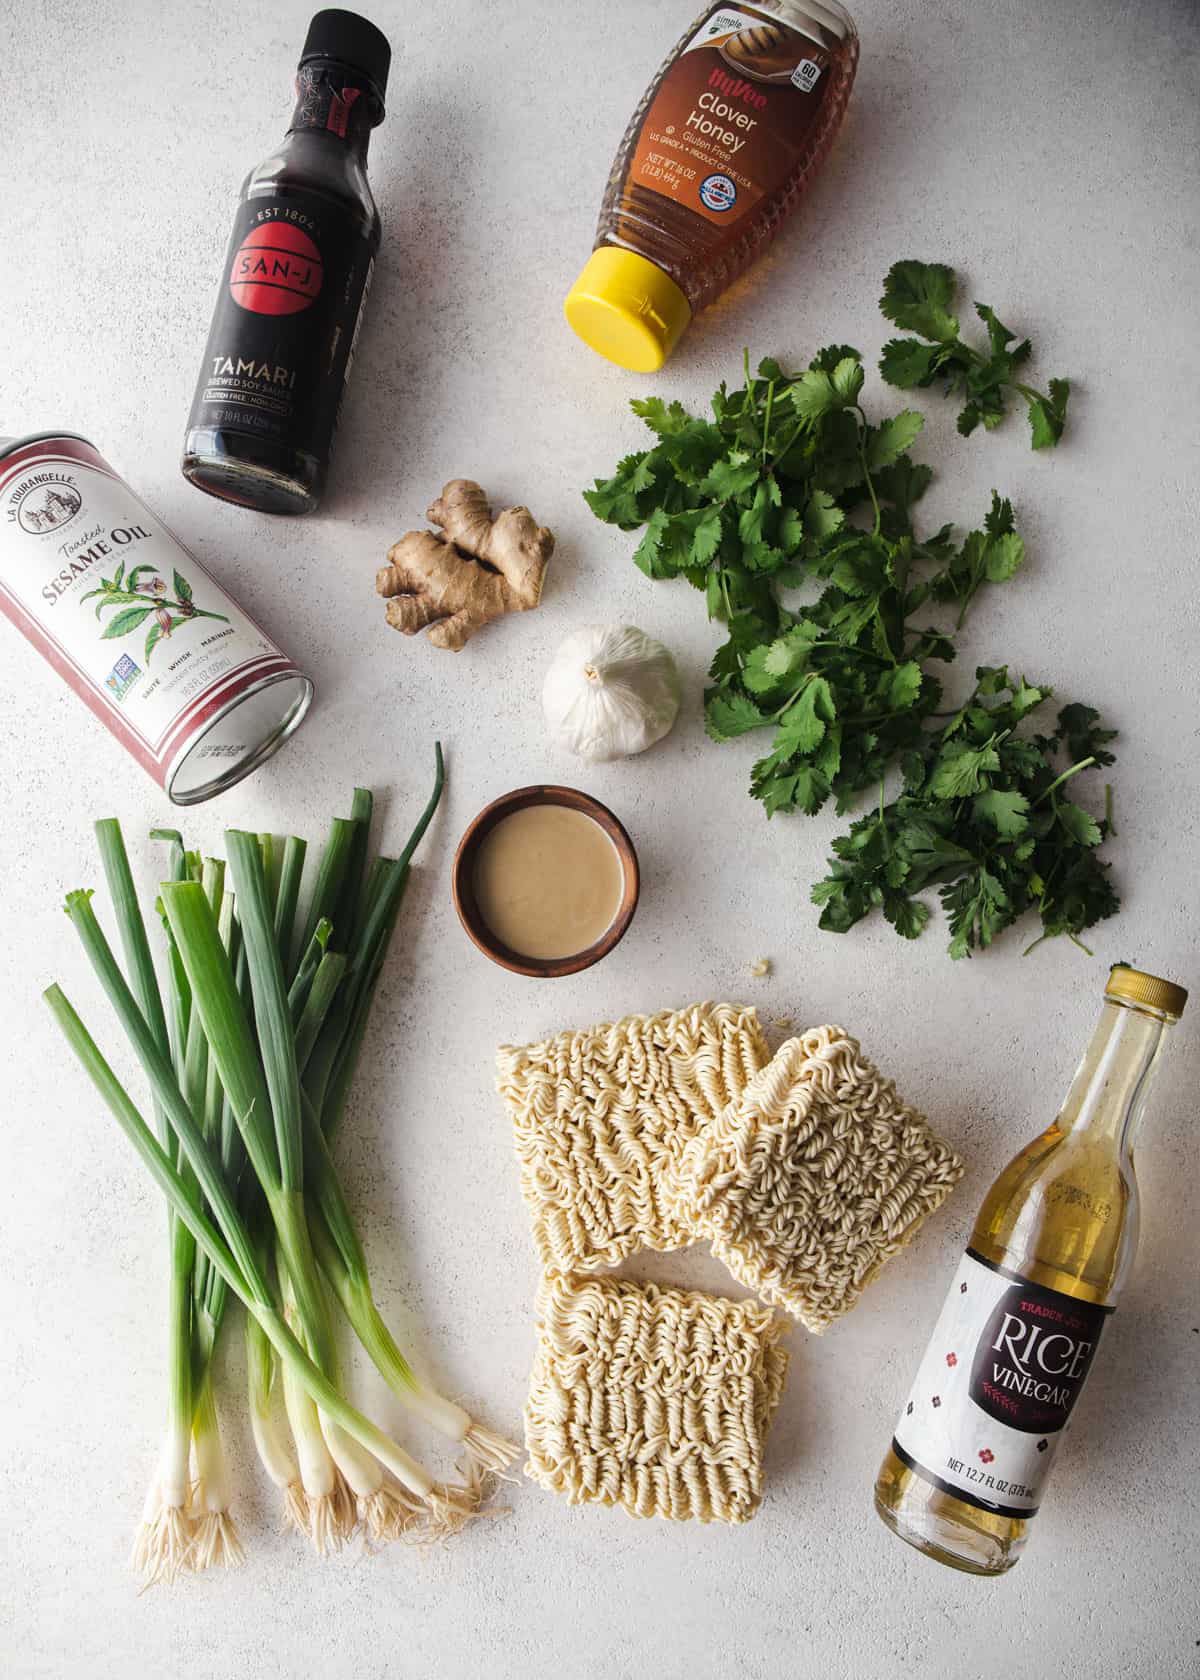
x: 603, y: 1115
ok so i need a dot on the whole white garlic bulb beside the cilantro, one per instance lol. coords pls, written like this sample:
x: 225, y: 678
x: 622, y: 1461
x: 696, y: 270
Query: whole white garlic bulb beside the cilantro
x: 611, y: 691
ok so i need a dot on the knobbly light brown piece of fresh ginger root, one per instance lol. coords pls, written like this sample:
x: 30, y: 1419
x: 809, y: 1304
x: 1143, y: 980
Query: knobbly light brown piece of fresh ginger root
x: 478, y: 570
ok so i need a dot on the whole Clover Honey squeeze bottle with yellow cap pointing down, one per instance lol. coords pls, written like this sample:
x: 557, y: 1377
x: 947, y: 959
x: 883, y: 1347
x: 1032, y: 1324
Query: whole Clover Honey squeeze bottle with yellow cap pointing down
x: 732, y: 130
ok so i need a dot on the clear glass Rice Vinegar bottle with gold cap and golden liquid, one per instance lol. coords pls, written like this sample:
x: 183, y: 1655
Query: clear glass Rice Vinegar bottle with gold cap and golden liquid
x: 1048, y: 1259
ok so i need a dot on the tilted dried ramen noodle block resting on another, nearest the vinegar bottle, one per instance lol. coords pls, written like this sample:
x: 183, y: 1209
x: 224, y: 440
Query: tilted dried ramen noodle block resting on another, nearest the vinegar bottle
x: 814, y: 1177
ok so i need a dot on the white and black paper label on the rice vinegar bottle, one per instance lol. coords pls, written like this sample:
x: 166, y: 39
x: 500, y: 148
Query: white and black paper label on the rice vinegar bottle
x: 996, y: 1389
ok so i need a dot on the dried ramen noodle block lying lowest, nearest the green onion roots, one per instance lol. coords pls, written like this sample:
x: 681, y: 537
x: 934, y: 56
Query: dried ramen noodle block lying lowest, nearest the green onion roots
x: 658, y: 1400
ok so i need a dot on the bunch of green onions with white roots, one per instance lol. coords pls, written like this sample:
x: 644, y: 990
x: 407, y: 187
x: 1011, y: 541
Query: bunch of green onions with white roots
x: 250, y: 1047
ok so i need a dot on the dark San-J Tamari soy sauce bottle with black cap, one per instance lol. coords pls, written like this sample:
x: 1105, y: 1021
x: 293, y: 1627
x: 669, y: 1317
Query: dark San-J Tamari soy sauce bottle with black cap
x: 295, y: 283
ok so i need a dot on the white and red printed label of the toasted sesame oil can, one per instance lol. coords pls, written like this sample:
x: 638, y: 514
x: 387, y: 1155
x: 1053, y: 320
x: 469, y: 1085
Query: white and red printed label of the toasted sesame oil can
x: 120, y: 609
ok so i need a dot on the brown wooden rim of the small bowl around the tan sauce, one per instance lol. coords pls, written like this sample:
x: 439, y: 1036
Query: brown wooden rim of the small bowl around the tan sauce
x: 463, y: 879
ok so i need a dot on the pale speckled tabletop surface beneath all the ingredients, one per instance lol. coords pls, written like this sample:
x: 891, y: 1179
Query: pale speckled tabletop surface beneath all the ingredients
x: 1048, y: 152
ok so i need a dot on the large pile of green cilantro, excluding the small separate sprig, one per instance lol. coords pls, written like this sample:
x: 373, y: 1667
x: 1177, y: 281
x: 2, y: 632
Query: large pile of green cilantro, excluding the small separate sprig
x: 791, y: 486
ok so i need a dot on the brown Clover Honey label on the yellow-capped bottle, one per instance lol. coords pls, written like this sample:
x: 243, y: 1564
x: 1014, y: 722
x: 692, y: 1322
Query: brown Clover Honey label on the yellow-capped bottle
x: 732, y: 115
